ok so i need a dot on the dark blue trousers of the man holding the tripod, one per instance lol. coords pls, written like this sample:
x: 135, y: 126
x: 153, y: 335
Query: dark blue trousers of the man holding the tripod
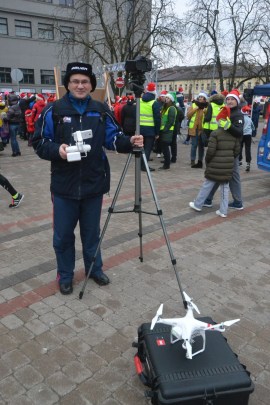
x: 66, y: 214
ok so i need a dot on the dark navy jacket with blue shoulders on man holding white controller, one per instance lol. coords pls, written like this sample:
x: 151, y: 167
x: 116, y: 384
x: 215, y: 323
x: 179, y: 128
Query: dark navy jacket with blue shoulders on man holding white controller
x: 90, y: 176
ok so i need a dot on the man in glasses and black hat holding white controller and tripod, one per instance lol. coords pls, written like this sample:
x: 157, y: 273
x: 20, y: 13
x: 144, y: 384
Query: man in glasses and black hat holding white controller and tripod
x: 77, y: 186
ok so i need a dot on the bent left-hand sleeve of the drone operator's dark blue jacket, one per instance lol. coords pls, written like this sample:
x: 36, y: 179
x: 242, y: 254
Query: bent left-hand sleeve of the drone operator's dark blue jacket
x: 43, y: 139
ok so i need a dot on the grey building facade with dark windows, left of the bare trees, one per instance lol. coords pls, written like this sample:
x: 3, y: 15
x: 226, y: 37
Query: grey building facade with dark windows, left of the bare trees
x: 31, y: 42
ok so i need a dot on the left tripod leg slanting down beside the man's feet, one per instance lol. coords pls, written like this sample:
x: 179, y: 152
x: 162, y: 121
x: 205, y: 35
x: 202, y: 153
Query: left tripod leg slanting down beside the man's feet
x: 110, y: 211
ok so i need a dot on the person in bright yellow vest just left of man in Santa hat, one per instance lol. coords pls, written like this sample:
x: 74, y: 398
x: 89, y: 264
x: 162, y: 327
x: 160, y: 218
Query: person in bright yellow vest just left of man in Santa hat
x: 216, y: 102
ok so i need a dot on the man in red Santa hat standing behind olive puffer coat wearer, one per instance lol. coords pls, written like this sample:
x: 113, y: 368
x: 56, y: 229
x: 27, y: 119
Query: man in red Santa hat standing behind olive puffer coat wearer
x: 233, y: 126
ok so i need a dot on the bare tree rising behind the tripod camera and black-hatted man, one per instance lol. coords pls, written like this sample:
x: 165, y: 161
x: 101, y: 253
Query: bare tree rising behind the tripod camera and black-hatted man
x: 118, y: 30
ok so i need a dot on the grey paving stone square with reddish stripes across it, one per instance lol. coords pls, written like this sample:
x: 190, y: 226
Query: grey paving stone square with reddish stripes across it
x: 62, y: 350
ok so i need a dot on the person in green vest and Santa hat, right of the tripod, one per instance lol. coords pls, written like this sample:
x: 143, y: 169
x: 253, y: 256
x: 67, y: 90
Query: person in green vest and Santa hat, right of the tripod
x: 168, y: 117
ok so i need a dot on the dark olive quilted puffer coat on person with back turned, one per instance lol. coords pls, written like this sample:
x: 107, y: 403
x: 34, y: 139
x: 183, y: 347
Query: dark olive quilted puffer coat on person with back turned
x: 223, y: 148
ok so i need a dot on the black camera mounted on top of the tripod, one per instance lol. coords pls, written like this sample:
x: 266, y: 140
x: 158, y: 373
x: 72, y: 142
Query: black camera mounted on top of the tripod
x: 136, y: 70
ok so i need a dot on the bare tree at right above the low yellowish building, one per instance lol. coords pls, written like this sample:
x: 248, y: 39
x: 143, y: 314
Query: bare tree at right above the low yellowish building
x: 224, y: 32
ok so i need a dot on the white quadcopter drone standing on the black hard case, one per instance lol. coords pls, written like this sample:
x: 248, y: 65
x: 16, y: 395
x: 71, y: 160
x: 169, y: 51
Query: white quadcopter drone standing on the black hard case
x: 187, y: 328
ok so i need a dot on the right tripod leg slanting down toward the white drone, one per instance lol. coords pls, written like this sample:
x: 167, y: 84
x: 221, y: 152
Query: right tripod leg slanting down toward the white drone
x: 159, y: 212
